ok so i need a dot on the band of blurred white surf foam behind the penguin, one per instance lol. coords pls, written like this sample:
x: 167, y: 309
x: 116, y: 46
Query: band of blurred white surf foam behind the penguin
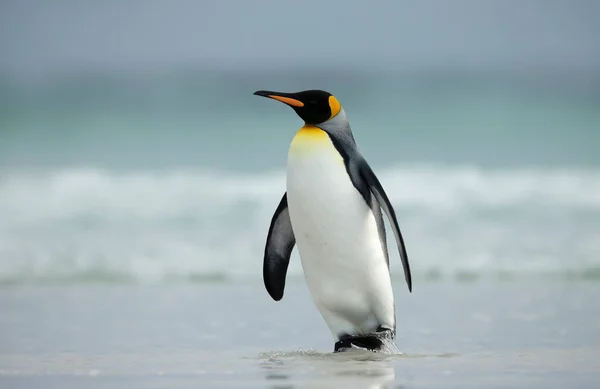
x: 86, y: 224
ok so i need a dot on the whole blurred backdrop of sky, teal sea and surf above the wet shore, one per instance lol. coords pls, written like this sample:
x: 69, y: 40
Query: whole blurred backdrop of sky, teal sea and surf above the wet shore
x: 133, y: 150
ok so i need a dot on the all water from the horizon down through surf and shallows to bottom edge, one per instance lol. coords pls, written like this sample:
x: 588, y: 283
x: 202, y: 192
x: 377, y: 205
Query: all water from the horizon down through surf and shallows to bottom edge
x: 134, y: 208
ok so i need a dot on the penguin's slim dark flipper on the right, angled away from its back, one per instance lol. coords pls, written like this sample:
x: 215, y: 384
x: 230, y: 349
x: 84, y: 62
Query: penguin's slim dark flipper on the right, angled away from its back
x: 361, y: 166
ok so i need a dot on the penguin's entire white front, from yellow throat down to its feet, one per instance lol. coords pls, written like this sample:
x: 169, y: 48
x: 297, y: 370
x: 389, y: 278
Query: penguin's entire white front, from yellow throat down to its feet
x: 337, y: 239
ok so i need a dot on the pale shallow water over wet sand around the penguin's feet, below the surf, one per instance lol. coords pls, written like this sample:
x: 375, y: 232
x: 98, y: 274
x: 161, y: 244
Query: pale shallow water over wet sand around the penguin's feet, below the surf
x: 501, y: 334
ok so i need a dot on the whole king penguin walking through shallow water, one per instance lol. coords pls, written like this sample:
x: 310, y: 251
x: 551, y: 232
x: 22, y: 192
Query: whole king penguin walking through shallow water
x: 332, y: 211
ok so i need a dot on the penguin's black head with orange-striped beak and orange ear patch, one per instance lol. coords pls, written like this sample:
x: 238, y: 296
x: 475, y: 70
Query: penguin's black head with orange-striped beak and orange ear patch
x: 313, y: 106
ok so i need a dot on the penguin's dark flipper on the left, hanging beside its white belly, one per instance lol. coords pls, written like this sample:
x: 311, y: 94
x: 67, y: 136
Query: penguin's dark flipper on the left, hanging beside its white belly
x: 279, y: 246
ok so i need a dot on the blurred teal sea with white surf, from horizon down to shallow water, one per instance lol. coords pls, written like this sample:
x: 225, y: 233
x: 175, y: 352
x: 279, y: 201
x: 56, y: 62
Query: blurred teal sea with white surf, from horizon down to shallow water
x: 173, y: 177
